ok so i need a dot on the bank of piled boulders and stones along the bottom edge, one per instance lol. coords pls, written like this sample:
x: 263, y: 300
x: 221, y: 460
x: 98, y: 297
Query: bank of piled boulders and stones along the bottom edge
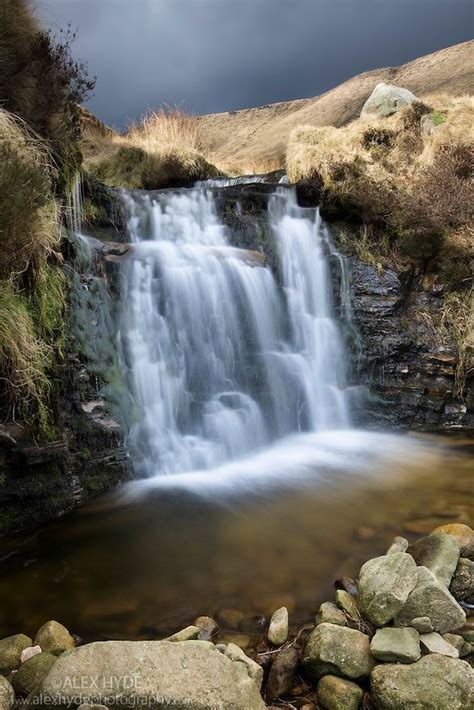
x: 400, y: 636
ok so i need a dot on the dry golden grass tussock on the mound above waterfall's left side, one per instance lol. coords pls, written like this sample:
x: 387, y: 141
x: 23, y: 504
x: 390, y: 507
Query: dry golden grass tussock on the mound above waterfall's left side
x: 163, y: 150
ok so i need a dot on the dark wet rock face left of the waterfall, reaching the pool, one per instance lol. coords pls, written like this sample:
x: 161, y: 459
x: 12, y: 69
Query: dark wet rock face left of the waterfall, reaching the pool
x: 41, y: 481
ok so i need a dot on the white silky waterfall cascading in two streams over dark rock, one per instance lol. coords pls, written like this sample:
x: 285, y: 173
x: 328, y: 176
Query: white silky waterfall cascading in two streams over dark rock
x: 220, y: 360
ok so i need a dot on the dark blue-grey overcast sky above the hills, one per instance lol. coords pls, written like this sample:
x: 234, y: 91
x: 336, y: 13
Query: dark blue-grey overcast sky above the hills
x: 219, y: 55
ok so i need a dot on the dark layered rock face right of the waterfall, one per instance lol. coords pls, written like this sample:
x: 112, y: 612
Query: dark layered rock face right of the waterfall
x: 410, y: 373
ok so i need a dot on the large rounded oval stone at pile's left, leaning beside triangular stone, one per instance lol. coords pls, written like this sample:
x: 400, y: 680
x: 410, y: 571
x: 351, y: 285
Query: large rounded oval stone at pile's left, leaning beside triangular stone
x: 384, y: 585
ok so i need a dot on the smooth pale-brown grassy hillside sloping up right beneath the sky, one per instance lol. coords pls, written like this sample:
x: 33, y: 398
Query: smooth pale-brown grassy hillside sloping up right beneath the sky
x: 255, y: 139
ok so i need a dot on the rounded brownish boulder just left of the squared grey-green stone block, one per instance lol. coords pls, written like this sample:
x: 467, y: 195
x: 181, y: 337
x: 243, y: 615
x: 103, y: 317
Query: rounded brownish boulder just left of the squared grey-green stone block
x: 337, y: 650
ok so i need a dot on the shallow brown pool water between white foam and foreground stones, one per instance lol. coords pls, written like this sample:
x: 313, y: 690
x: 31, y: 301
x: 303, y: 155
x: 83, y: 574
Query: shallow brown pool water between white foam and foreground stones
x: 146, y: 569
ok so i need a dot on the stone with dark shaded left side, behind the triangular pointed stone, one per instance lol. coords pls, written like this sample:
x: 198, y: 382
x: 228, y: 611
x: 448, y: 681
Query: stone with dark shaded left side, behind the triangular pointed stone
x: 439, y: 553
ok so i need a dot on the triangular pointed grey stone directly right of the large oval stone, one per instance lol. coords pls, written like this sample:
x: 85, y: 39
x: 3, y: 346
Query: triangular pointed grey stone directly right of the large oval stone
x: 431, y: 599
